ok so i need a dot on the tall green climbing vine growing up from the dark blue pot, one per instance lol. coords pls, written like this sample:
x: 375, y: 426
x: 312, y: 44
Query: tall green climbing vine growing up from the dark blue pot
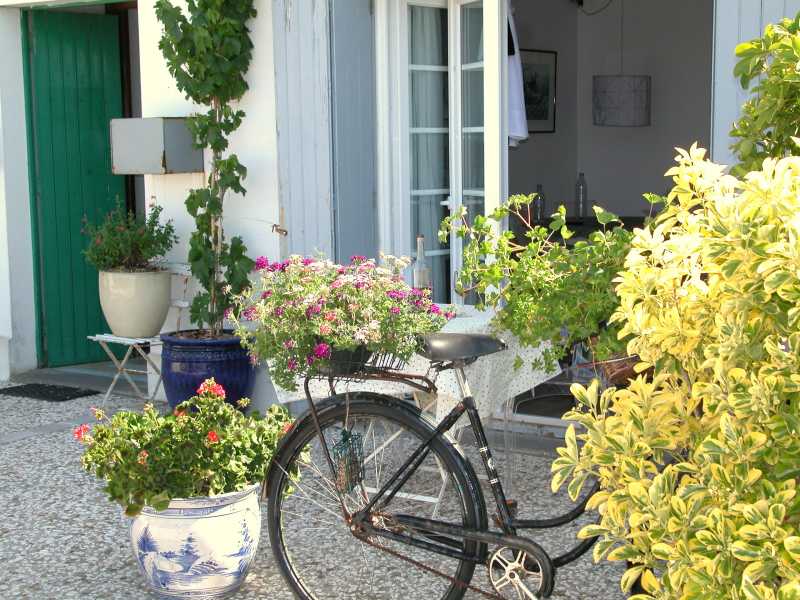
x: 208, y: 53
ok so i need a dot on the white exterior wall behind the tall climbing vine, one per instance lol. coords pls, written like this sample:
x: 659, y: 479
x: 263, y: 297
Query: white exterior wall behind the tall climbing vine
x: 255, y: 143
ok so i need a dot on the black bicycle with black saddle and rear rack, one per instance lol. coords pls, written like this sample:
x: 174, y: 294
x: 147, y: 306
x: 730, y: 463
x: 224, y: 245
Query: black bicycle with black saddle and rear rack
x: 368, y: 498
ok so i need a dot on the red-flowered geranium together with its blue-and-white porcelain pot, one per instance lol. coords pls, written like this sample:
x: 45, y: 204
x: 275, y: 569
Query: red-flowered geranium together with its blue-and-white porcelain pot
x: 190, y: 480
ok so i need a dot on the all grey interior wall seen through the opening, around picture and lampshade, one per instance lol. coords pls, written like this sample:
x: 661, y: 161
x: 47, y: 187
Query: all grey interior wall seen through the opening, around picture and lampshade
x: 671, y: 40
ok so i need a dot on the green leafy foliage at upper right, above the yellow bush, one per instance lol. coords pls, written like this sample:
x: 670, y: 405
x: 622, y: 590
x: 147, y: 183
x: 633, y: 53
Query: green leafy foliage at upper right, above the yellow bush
x: 770, y: 121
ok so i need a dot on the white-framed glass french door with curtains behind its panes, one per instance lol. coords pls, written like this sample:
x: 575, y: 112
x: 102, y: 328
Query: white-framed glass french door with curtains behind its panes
x: 442, y: 102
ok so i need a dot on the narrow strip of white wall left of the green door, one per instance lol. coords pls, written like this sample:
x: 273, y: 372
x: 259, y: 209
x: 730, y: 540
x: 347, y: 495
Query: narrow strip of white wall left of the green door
x: 17, y: 326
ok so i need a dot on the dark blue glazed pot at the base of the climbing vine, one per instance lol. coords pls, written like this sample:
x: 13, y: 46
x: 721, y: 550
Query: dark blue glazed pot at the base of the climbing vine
x: 186, y: 362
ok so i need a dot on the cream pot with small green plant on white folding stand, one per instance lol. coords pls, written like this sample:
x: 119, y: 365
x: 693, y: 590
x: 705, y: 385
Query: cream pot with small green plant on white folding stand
x: 134, y: 290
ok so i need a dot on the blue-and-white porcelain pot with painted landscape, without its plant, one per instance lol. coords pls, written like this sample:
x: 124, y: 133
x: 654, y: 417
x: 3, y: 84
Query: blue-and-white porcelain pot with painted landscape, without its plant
x: 198, y: 547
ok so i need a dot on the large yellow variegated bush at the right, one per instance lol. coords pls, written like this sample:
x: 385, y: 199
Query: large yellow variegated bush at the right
x: 698, y: 467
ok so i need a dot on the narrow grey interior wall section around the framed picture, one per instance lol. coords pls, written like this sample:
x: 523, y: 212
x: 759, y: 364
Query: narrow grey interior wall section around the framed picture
x: 549, y: 159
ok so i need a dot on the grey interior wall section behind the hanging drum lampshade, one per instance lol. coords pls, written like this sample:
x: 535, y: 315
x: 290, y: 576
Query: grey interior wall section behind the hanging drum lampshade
x: 670, y: 40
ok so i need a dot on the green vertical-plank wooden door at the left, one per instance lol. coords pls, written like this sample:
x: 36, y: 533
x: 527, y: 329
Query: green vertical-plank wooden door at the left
x: 75, y: 88
